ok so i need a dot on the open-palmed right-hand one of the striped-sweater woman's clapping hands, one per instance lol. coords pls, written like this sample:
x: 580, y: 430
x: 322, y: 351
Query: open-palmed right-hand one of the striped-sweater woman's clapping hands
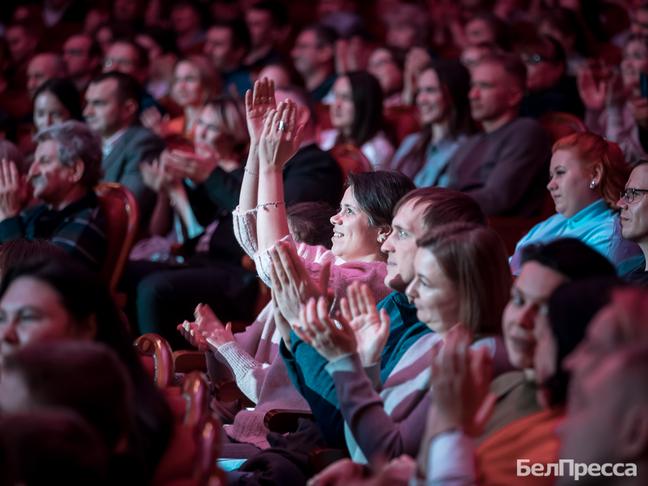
x: 371, y: 328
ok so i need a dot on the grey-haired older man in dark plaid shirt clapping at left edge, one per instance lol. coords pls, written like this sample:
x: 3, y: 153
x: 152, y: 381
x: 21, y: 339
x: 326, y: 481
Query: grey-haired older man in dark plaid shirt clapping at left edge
x: 66, y: 167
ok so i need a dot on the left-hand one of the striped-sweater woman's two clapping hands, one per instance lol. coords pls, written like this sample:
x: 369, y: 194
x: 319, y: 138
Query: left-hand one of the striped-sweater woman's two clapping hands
x: 330, y: 337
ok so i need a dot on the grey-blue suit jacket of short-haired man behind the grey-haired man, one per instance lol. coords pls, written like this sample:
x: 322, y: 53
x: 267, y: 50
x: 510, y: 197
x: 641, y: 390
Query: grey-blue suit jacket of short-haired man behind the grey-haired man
x: 136, y: 145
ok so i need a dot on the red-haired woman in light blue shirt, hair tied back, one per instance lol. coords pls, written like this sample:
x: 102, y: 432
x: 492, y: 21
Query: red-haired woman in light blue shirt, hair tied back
x: 586, y: 176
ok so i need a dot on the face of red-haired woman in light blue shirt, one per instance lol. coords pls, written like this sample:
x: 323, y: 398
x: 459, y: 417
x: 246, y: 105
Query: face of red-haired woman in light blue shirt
x: 569, y: 183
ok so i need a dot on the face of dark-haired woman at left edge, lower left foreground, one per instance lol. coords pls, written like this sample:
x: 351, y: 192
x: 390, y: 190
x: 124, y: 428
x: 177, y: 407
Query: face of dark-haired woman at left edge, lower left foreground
x: 31, y: 311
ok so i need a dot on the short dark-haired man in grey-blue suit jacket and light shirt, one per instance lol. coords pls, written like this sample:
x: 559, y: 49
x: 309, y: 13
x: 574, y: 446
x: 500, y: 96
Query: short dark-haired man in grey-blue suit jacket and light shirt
x: 112, y: 104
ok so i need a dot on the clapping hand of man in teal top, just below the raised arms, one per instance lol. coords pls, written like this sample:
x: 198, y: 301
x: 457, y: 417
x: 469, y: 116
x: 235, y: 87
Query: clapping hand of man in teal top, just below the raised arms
x: 292, y: 285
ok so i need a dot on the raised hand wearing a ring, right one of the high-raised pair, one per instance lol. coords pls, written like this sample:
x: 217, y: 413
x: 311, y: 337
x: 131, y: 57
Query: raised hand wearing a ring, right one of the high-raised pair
x: 280, y: 138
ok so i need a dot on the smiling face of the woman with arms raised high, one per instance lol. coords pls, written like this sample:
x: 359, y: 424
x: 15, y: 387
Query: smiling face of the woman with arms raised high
x: 353, y: 237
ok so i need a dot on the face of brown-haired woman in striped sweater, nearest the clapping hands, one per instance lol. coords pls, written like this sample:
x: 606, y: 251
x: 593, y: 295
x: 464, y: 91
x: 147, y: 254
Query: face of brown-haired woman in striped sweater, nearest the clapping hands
x: 433, y: 293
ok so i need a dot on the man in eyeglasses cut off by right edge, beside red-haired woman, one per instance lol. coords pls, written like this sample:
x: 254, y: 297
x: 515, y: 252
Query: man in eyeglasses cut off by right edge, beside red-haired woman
x: 633, y: 204
